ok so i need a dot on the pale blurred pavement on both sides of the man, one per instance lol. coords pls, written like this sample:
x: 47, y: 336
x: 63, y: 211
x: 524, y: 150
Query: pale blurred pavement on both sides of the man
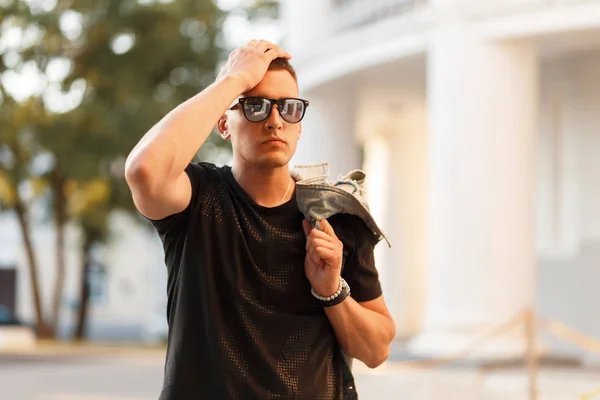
x: 96, y: 372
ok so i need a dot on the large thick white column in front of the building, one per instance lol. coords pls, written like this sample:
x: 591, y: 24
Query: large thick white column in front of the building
x: 482, y: 115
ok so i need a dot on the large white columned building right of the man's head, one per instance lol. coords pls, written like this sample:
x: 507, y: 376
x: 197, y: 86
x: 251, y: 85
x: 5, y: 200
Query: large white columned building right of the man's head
x: 478, y: 125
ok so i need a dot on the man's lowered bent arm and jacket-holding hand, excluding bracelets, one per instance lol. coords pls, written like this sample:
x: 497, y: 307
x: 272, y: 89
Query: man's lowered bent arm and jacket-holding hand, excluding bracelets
x: 364, y: 330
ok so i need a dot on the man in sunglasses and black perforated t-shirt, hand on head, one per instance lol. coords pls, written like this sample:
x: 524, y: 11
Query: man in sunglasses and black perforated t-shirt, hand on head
x: 245, y: 270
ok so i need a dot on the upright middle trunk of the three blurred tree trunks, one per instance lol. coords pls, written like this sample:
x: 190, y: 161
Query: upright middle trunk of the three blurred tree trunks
x: 59, y: 224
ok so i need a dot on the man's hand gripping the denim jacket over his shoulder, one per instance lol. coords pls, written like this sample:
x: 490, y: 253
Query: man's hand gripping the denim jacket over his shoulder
x: 323, y: 262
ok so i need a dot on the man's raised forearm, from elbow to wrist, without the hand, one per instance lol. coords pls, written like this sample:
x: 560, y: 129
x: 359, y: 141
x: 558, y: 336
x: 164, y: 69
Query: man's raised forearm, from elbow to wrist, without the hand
x: 168, y: 147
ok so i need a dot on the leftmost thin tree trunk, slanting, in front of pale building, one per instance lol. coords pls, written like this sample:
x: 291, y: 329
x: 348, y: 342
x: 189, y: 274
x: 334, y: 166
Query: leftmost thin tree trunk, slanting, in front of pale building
x: 43, y: 330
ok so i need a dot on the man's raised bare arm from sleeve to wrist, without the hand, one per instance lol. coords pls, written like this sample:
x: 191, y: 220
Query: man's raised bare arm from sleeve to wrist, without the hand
x: 154, y: 169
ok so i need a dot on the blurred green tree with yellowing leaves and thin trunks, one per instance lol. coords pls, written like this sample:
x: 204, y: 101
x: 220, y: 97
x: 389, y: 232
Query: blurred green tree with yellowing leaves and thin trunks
x: 130, y: 62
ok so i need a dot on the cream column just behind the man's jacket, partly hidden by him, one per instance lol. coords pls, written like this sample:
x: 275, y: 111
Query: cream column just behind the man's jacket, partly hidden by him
x: 392, y: 128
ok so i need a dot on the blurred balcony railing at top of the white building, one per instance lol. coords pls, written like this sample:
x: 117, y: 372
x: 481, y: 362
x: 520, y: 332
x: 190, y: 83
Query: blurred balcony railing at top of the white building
x: 347, y: 14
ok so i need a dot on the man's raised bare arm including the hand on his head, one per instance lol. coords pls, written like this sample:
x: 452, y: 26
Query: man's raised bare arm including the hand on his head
x: 154, y: 169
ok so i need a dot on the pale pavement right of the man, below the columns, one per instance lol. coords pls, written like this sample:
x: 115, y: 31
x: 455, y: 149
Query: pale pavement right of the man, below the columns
x: 391, y: 381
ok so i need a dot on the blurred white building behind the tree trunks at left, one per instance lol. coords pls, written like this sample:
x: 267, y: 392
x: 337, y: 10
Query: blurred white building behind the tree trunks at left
x: 128, y: 300
